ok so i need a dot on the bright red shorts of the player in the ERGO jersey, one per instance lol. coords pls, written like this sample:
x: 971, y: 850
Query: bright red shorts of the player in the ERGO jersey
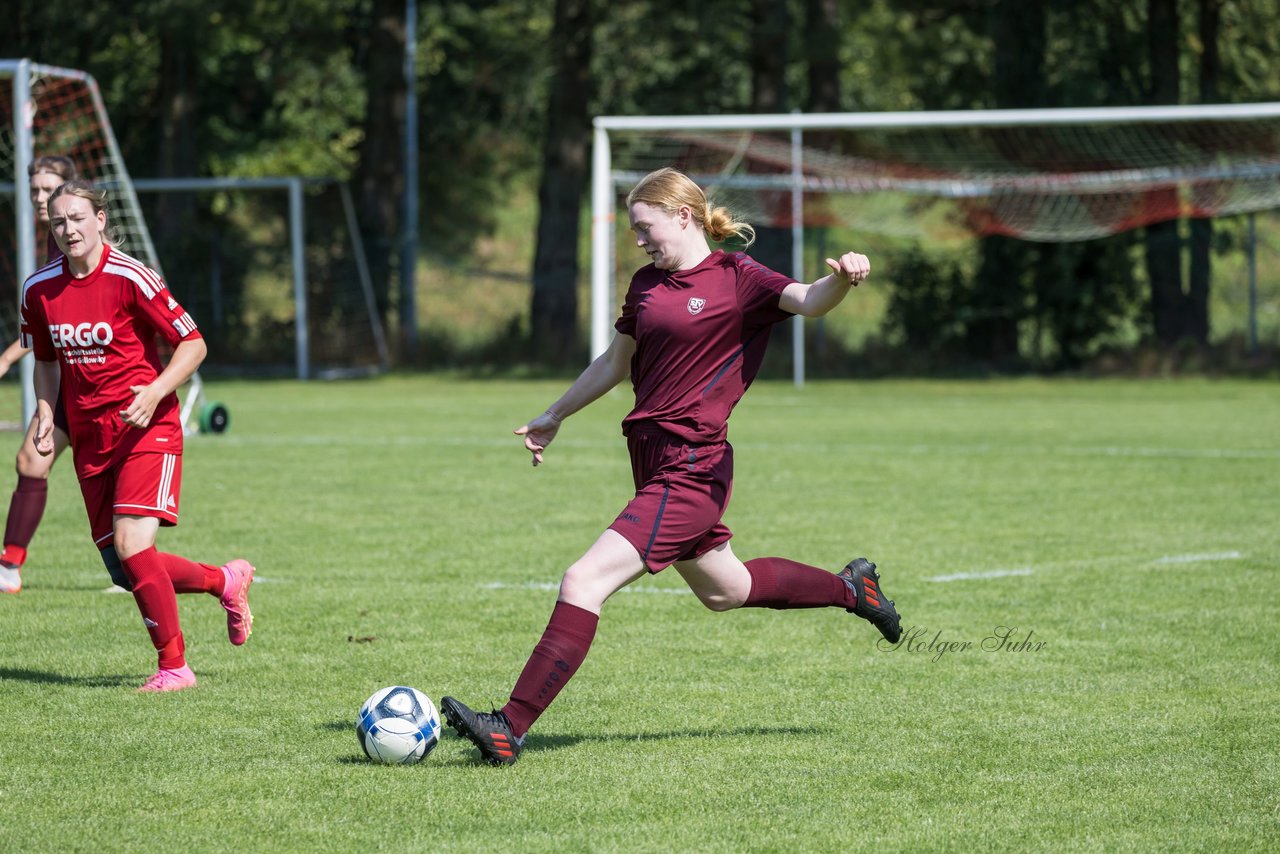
x: 144, y: 485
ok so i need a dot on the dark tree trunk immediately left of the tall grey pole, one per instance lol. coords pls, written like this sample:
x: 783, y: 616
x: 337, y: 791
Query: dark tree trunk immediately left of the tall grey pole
x: 381, y: 175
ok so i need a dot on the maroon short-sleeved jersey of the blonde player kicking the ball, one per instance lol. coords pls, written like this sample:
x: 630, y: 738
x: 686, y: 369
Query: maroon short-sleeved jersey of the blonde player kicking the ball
x: 701, y: 339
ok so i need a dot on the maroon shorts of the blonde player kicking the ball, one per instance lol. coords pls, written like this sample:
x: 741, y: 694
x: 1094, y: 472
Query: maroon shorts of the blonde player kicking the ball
x: 682, y: 495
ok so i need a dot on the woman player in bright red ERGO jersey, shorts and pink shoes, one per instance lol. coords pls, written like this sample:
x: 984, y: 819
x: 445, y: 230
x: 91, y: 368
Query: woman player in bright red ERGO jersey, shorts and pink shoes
x: 93, y: 323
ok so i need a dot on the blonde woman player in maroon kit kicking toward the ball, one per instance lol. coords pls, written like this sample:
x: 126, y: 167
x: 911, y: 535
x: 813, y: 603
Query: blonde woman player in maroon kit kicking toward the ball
x: 692, y: 337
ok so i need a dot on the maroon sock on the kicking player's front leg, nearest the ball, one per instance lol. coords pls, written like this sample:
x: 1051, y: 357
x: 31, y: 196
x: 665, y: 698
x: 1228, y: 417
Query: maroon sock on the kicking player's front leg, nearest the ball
x: 556, y: 659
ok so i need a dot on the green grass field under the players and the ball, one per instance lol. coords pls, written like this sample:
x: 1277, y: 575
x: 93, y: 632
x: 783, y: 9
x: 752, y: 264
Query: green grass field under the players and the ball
x: 1124, y: 535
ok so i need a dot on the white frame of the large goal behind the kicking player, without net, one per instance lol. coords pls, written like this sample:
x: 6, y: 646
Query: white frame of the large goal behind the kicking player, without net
x: 606, y: 182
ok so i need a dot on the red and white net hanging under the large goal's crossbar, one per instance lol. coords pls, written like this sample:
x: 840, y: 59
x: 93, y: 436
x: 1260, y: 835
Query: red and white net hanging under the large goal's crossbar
x: 1050, y: 182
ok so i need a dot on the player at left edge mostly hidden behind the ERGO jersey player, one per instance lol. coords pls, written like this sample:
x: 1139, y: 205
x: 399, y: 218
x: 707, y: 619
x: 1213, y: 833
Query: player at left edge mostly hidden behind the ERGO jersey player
x: 28, y: 504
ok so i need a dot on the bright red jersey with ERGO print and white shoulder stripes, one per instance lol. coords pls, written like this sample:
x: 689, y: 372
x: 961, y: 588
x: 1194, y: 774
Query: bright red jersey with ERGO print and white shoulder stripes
x: 102, y: 331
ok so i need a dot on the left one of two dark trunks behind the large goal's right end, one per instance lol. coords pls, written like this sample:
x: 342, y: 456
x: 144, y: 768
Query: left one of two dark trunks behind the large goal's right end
x: 1163, y: 245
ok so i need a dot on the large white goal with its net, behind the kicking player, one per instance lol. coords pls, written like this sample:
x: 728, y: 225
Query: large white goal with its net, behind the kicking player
x: 1039, y: 175
